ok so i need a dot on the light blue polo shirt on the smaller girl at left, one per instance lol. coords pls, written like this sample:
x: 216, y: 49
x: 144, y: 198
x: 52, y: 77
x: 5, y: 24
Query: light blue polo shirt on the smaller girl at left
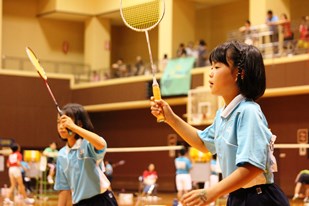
x: 81, y: 170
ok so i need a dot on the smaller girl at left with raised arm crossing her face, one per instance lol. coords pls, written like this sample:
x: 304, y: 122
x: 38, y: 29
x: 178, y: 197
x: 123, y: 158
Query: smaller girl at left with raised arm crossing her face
x: 80, y: 169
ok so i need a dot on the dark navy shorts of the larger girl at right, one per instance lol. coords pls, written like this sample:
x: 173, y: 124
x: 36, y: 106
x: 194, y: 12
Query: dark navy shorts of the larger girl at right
x: 259, y: 195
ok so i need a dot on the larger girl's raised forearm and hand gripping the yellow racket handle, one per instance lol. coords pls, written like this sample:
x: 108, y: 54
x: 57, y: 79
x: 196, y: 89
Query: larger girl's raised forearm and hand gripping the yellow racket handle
x: 186, y: 131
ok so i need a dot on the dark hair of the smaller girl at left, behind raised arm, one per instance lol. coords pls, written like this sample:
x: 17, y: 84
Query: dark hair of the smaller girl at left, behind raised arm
x: 79, y: 116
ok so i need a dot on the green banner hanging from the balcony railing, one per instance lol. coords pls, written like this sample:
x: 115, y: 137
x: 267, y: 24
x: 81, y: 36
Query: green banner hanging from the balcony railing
x: 176, y: 79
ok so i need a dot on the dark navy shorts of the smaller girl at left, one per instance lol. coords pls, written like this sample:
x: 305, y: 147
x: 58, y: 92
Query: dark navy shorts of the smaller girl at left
x: 105, y: 199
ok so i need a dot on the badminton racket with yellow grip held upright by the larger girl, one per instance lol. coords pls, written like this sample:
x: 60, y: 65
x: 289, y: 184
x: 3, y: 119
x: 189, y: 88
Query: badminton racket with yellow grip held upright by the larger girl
x: 142, y: 16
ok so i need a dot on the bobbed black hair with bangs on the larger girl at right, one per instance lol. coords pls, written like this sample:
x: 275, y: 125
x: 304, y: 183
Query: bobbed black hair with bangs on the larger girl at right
x: 248, y: 60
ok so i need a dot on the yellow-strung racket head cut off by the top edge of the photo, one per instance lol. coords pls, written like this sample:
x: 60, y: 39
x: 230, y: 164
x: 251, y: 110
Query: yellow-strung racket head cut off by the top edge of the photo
x: 141, y: 15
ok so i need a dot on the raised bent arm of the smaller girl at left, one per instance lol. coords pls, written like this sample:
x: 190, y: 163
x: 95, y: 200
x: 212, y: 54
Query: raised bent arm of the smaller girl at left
x: 94, y: 139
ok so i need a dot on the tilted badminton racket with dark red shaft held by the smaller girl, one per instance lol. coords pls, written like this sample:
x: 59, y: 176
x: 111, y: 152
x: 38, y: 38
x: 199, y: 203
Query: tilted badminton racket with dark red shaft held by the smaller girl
x: 35, y: 61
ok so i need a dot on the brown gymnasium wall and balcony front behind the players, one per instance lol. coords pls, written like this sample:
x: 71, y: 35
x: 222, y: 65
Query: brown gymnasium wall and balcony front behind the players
x: 29, y: 116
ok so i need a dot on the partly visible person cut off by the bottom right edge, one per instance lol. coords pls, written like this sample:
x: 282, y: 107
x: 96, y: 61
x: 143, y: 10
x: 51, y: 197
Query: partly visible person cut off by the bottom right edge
x: 302, y: 179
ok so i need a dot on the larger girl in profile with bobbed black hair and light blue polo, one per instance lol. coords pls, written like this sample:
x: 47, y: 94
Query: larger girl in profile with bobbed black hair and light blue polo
x: 239, y: 134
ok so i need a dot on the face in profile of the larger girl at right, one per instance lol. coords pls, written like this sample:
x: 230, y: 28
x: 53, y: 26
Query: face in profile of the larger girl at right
x: 222, y: 81
